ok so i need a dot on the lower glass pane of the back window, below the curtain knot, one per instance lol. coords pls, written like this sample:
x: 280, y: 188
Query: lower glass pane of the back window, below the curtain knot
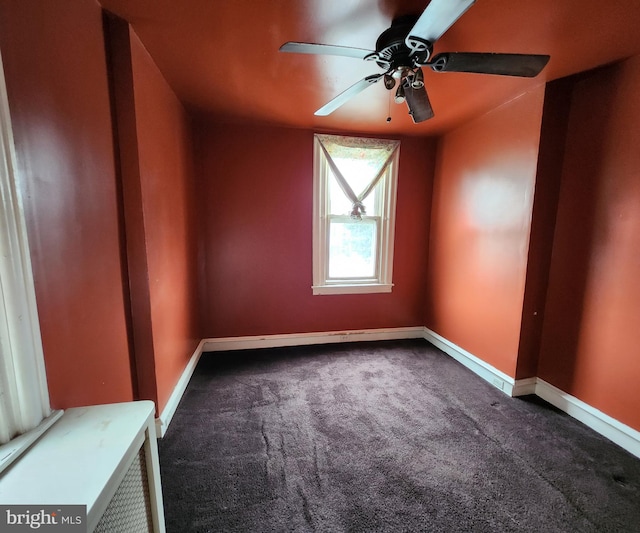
x: 352, y: 249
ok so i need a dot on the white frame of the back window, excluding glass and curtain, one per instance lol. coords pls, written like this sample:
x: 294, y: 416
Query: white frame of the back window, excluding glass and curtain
x: 382, y: 281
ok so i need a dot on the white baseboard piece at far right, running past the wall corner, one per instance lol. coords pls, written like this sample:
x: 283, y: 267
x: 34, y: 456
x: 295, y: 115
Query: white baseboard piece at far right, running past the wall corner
x: 614, y: 430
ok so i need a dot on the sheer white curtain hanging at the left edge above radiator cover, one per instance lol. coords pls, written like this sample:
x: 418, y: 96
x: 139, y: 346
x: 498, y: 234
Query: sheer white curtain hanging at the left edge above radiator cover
x: 24, y: 399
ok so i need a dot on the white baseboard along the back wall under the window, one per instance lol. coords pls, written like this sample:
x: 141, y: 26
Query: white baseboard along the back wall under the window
x: 304, y: 339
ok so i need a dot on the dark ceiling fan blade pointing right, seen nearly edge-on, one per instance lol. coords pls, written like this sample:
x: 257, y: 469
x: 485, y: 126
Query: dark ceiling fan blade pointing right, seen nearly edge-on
x: 522, y: 65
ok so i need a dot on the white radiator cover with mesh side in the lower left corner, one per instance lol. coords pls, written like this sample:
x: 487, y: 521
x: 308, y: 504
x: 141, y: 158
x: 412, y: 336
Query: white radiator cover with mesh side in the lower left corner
x: 104, y: 457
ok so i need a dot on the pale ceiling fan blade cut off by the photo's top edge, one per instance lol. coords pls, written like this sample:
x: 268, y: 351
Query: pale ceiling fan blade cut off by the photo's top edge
x: 436, y: 19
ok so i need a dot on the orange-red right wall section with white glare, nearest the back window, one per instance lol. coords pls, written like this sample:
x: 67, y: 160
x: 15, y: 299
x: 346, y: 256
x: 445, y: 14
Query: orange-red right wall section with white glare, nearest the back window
x: 481, y: 220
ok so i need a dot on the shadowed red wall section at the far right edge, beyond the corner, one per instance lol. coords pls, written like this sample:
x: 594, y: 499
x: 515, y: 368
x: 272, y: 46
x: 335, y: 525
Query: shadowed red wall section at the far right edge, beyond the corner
x: 590, y: 343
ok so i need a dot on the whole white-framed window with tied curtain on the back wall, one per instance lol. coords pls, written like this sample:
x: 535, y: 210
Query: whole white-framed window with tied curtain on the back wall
x: 354, y: 214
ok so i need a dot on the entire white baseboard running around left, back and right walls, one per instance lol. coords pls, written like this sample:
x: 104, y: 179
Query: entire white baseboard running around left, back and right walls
x: 619, y: 433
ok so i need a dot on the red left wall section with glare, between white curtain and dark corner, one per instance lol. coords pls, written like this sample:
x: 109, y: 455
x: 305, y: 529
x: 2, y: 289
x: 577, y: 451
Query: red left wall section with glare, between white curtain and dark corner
x: 58, y: 95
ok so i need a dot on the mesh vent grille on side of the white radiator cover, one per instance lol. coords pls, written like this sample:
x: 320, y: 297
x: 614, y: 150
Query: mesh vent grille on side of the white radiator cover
x: 129, y: 511
